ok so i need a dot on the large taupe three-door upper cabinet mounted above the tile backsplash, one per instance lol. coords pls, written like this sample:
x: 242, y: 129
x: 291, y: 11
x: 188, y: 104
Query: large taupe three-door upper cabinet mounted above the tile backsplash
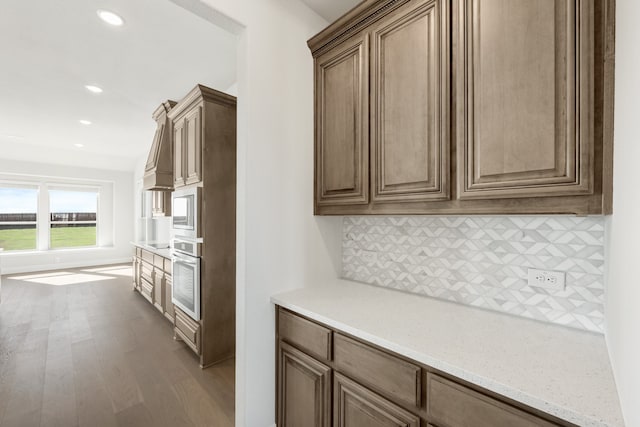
x: 464, y: 106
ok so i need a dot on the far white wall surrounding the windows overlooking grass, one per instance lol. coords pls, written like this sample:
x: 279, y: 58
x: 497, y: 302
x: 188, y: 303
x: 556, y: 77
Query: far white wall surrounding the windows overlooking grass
x: 115, y: 212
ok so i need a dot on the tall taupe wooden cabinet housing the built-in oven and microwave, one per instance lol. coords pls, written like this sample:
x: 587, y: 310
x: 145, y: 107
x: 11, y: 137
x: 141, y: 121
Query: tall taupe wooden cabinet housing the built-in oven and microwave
x: 204, y: 148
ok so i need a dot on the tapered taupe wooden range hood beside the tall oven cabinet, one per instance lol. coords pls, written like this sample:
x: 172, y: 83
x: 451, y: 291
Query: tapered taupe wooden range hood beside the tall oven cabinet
x: 158, y: 172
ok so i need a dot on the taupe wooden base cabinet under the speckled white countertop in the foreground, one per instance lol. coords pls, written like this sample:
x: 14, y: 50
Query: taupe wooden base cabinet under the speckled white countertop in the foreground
x: 326, y: 378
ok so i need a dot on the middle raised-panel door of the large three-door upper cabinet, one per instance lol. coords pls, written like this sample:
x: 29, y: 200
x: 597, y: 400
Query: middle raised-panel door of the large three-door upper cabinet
x: 410, y: 104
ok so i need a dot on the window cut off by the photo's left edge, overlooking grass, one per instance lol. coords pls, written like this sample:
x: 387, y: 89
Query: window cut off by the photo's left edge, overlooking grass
x: 18, y: 218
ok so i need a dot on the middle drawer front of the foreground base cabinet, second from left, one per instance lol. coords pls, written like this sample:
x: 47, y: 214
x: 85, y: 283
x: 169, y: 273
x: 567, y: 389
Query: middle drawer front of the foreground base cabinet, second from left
x: 382, y: 372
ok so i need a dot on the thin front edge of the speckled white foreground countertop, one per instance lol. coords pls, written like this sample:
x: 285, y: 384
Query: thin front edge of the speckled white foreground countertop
x: 563, y: 413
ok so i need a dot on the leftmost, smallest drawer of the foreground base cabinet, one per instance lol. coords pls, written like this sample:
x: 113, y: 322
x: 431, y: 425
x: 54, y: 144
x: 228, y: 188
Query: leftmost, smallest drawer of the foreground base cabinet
x: 304, y: 334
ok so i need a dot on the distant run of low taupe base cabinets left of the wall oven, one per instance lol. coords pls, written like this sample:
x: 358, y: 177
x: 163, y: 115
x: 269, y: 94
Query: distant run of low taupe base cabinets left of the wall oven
x: 152, y: 278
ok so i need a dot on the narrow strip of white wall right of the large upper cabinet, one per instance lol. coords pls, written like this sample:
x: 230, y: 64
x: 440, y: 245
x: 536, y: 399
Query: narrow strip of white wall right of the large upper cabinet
x: 623, y: 287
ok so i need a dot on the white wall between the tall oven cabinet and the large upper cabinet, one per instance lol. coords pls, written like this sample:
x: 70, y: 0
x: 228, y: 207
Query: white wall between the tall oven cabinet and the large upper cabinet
x: 281, y: 245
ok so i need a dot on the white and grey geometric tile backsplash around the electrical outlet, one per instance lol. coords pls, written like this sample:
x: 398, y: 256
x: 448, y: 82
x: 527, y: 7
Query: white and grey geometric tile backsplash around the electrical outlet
x: 482, y: 261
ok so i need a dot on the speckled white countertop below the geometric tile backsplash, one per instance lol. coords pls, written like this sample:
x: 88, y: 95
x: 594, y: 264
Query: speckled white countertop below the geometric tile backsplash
x: 560, y: 371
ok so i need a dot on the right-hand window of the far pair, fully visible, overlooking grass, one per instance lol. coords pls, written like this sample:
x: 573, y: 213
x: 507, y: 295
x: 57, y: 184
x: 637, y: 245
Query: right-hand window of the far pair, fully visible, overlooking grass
x: 73, y: 218
